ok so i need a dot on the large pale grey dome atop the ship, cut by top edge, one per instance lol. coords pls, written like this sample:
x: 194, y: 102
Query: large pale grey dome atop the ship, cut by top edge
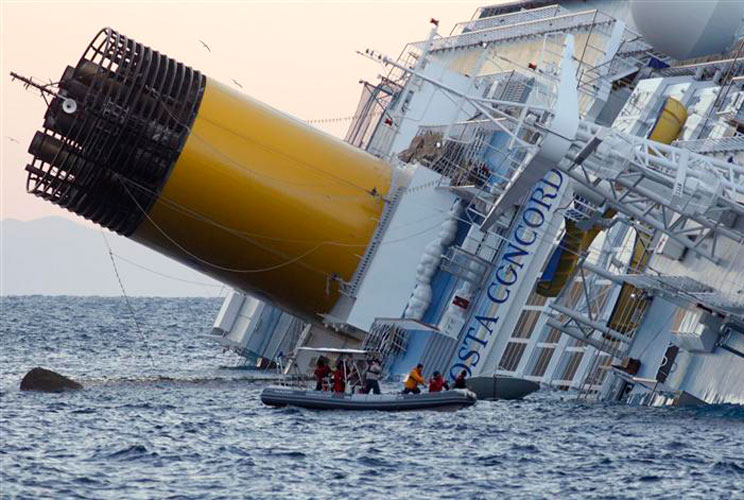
x: 685, y: 29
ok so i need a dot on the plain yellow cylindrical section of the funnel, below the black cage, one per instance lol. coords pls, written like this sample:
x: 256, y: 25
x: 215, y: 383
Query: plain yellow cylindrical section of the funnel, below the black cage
x: 267, y: 204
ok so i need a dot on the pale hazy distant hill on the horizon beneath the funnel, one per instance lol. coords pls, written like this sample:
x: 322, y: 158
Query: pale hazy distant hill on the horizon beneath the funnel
x: 56, y: 256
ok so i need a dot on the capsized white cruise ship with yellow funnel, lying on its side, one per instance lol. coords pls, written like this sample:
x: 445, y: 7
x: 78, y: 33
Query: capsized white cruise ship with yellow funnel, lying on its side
x: 554, y: 191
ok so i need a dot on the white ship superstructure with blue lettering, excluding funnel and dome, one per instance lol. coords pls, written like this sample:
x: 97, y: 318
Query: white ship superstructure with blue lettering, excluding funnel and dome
x: 572, y: 213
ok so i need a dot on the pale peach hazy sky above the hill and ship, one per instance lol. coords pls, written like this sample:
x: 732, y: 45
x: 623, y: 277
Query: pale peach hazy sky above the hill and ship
x: 296, y: 56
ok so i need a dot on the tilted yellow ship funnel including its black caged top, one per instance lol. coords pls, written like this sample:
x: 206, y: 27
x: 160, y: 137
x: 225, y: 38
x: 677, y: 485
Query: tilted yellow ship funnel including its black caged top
x: 224, y: 184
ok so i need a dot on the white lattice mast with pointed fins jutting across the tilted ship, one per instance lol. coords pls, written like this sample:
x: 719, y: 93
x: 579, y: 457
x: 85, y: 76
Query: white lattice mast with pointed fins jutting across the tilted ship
x: 687, y: 196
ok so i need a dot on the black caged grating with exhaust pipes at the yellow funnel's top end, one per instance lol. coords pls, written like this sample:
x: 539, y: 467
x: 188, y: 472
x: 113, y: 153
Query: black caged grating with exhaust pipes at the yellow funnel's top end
x: 113, y: 131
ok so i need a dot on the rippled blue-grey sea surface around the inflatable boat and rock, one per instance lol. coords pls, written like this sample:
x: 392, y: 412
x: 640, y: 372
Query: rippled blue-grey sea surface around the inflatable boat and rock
x: 189, y: 424
